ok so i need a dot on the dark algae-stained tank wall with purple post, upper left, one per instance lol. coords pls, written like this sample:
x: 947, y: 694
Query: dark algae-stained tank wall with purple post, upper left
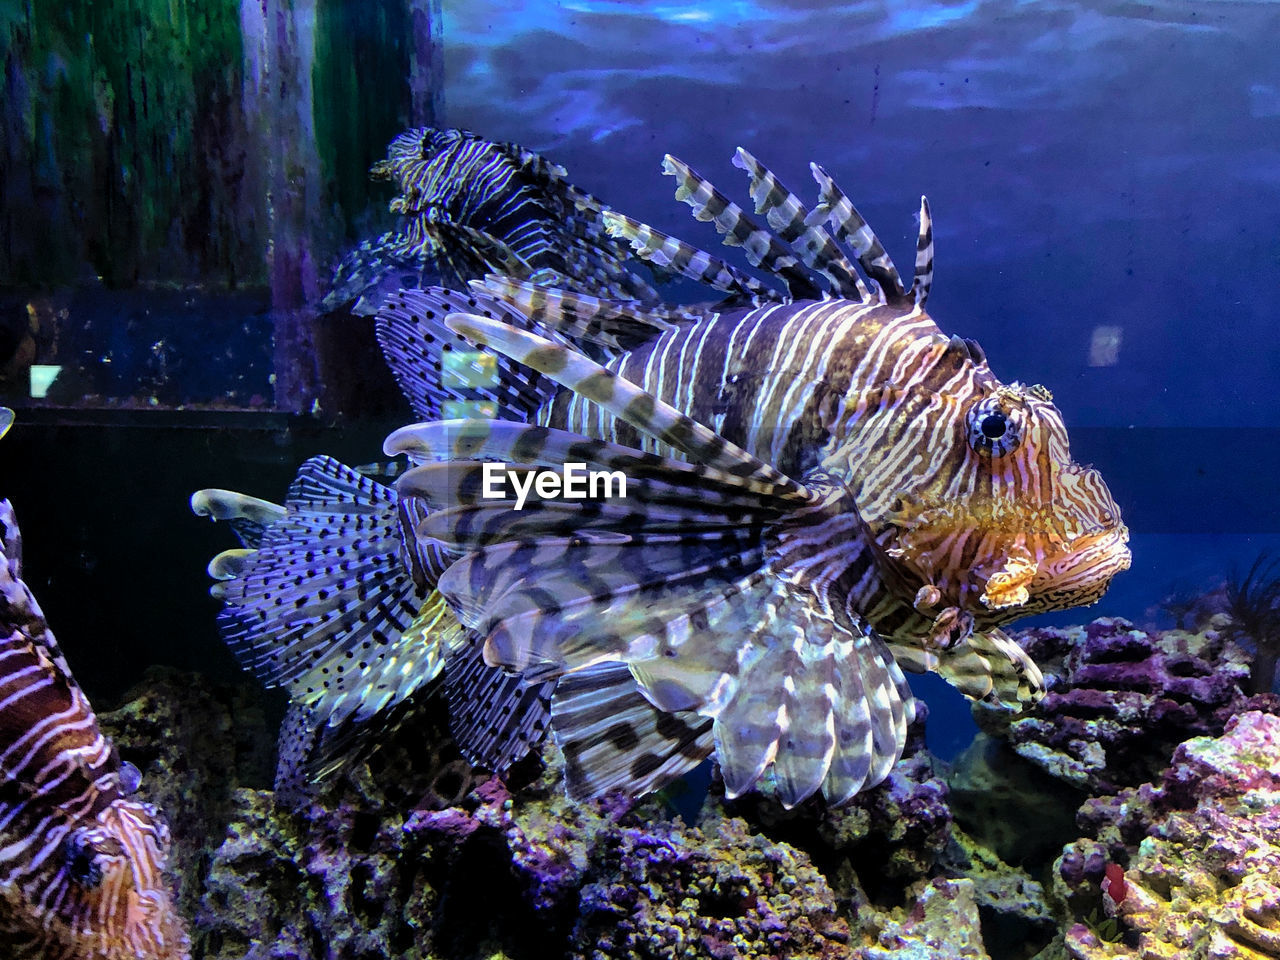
x: 177, y: 181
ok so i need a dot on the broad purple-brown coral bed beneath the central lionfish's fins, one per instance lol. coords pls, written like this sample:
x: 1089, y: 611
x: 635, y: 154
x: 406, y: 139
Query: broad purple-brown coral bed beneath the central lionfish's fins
x: 406, y: 853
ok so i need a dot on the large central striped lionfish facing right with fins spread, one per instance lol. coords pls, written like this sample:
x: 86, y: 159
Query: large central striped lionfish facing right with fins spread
x: 822, y: 490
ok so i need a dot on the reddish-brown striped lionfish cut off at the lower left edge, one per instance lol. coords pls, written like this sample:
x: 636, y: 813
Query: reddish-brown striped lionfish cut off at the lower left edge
x: 83, y: 867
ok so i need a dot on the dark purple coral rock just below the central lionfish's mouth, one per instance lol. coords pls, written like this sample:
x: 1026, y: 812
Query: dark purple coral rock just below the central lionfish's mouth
x: 1122, y: 698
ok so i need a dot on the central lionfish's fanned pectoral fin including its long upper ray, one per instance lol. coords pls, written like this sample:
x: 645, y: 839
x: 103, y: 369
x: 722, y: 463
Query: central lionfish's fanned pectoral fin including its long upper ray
x: 725, y: 620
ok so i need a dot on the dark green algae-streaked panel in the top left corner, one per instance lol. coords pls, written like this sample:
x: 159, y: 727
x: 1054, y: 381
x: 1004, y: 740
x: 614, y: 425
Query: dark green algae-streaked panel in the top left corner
x: 127, y: 121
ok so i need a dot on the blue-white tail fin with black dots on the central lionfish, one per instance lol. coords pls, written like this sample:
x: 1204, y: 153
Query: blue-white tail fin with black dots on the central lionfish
x: 327, y: 607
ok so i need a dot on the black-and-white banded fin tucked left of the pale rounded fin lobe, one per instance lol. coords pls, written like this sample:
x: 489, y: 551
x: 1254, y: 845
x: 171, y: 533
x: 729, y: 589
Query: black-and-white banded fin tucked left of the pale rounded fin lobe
x: 612, y: 737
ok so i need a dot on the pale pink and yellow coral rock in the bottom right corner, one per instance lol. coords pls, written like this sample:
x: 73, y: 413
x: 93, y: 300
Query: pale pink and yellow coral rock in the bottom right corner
x: 1204, y: 881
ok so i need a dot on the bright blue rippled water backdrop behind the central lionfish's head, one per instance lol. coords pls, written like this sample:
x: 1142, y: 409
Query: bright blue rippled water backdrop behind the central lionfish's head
x: 1104, y: 179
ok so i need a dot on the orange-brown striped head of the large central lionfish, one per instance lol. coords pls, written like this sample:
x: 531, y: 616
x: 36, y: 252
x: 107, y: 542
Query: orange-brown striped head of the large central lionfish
x: 1002, y: 520
